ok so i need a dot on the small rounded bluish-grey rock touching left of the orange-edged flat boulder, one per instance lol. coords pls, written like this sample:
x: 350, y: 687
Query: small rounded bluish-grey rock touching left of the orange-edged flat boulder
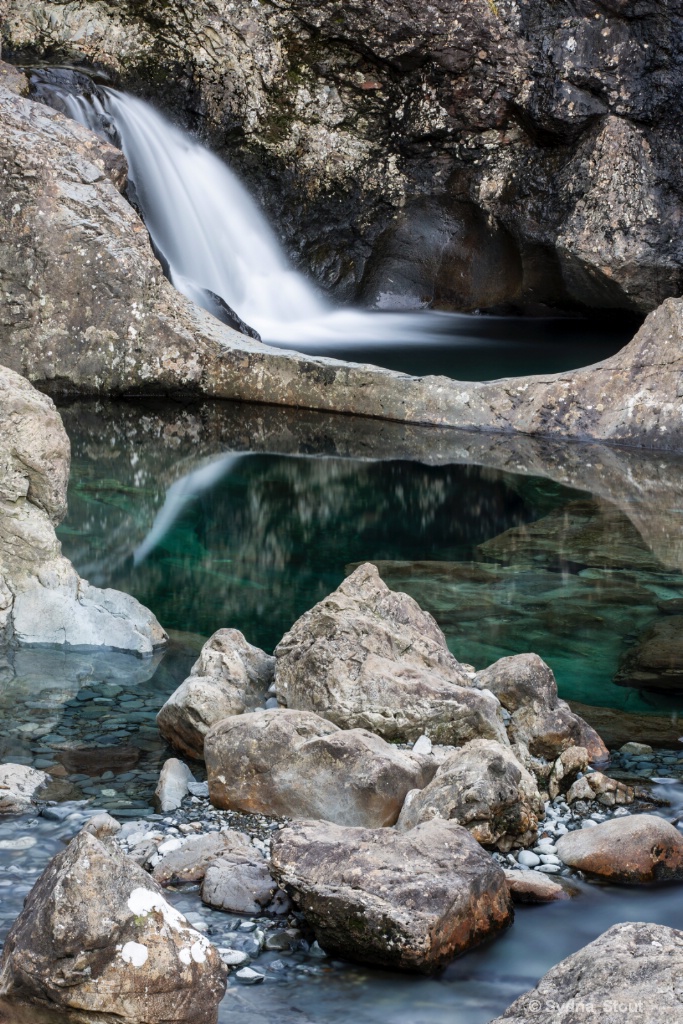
x: 239, y: 883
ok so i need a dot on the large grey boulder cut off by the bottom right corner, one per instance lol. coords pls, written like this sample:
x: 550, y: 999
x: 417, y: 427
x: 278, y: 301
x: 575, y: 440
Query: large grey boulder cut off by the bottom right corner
x: 633, y: 965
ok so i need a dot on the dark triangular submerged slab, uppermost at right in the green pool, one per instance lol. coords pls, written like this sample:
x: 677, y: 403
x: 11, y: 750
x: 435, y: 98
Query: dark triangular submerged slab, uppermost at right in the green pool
x: 581, y: 534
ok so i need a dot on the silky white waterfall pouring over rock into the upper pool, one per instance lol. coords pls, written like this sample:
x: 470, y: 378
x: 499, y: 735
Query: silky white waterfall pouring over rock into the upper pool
x: 210, y: 235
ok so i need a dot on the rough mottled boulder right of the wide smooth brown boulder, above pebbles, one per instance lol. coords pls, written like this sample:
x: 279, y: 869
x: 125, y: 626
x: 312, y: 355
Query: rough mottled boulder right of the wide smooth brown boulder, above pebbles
x: 484, y: 788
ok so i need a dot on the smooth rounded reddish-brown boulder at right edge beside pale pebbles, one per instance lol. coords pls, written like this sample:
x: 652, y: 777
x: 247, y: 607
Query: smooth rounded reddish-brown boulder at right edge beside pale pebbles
x: 635, y: 849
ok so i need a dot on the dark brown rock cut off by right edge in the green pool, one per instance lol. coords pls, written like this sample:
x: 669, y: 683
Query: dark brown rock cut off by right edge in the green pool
x: 656, y: 663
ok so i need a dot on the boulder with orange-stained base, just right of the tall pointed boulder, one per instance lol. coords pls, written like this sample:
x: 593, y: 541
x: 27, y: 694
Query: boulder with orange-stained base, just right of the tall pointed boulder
x: 527, y: 689
